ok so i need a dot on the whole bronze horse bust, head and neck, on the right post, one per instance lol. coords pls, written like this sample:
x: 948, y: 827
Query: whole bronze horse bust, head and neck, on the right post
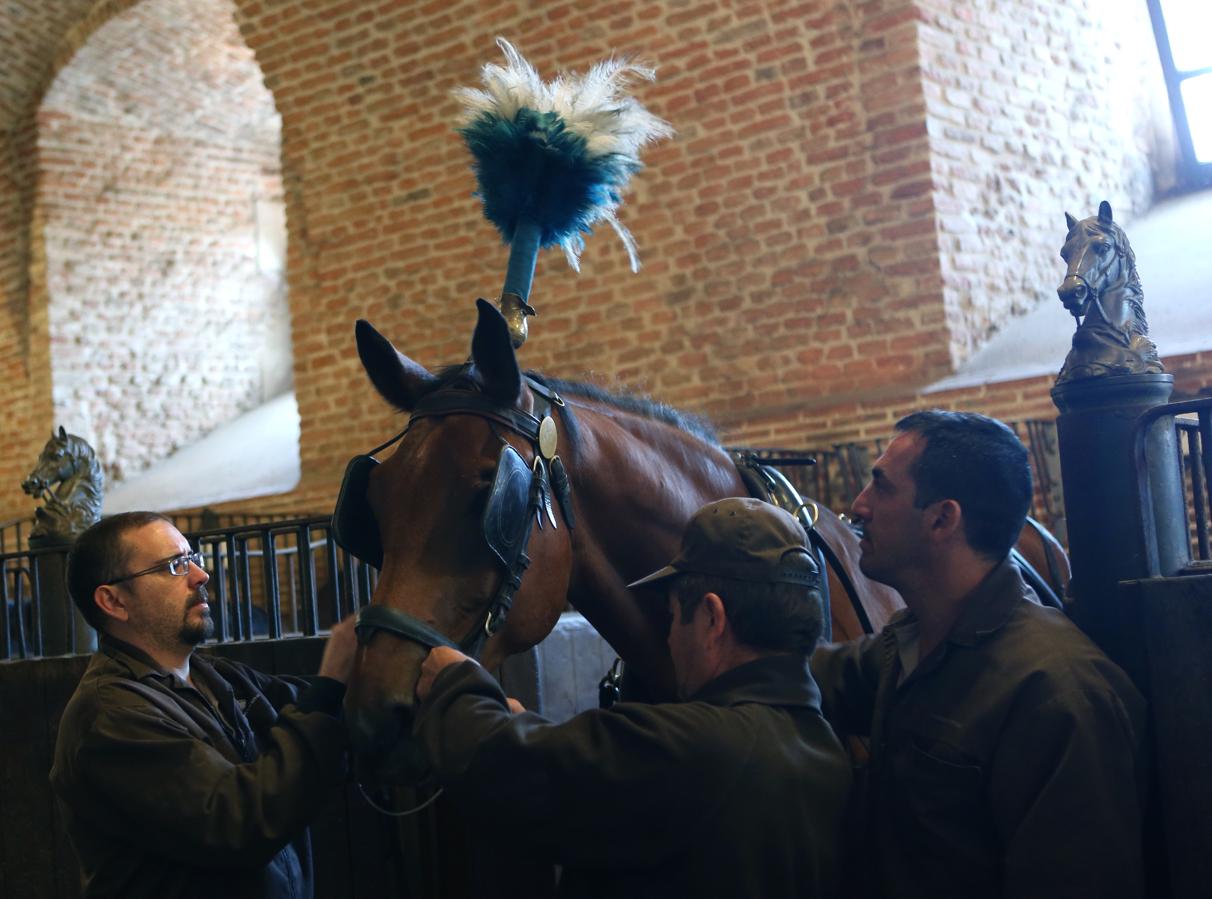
x: 1102, y: 291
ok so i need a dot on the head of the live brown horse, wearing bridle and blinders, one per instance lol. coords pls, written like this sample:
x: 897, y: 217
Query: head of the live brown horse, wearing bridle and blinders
x: 451, y: 514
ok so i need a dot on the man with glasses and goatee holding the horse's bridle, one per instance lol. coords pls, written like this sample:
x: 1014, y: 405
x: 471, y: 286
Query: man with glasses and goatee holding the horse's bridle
x: 178, y: 776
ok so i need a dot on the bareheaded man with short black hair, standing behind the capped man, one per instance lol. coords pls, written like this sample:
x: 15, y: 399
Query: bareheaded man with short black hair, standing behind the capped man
x: 1005, y: 748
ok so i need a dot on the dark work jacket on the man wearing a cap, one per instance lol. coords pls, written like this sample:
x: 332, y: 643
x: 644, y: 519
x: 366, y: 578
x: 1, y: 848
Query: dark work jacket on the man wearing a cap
x: 739, y: 793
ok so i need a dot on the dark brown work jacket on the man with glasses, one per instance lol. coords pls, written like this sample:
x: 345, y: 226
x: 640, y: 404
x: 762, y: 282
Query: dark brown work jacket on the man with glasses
x: 164, y: 795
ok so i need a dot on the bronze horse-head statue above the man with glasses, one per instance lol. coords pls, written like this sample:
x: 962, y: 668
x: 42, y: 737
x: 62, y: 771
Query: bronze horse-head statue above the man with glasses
x: 68, y: 462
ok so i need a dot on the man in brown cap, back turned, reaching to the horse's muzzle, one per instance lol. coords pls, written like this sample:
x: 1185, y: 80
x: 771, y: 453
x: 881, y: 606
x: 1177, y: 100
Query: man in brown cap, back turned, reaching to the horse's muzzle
x: 739, y: 791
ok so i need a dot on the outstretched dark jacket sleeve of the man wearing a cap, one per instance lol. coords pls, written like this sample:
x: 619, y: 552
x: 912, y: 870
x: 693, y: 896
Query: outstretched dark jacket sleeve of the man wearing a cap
x: 665, y: 770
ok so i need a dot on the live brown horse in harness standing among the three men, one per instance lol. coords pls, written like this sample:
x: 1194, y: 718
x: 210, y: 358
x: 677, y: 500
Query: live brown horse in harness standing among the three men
x: 501, y: 474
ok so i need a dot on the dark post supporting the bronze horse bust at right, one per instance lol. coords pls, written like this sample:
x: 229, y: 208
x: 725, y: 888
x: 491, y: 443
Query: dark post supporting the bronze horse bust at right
x: 1096, y: 432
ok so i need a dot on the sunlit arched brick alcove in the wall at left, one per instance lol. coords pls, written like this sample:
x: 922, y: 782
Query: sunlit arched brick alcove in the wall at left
x: 161, y: 211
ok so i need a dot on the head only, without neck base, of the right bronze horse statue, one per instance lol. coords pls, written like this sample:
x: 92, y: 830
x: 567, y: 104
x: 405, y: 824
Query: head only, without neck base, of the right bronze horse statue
x: 1100, y: 262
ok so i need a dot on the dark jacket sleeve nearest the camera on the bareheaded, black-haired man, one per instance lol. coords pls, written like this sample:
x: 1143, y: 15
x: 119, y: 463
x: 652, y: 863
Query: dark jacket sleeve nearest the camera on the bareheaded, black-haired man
x: 1066, y: 795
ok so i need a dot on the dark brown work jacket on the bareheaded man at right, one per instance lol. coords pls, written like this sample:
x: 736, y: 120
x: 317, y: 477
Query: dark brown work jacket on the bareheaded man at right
x: 1008, y: 764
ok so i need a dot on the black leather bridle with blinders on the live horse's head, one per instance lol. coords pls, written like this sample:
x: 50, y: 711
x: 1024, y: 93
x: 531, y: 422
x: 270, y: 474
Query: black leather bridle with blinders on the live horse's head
x: 521, y: 495
